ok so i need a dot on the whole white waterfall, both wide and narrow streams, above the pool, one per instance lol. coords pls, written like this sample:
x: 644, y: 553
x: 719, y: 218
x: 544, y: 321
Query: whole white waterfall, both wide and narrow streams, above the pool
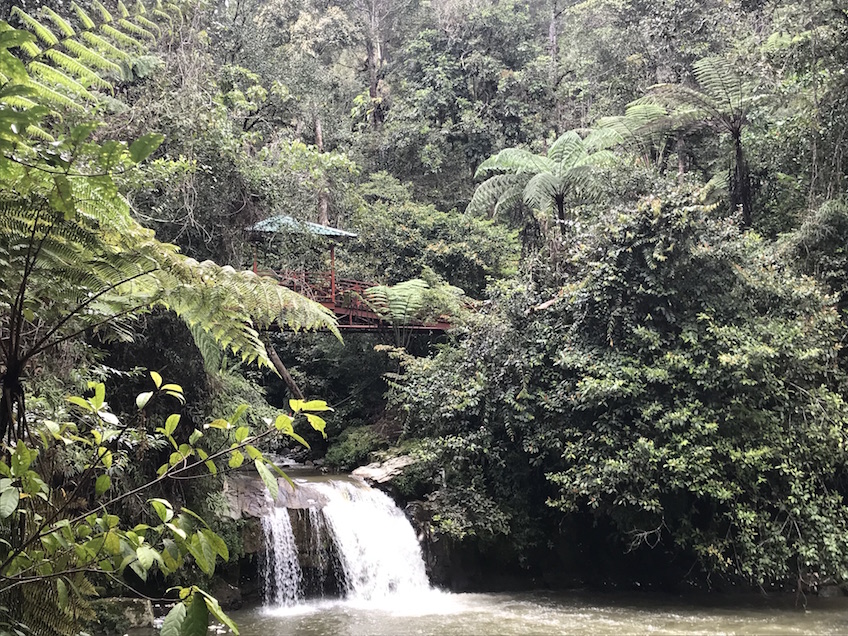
x: 357, y: 541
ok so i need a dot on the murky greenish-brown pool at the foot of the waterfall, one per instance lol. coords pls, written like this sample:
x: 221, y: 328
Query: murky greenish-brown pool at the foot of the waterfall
x: 442, y: 614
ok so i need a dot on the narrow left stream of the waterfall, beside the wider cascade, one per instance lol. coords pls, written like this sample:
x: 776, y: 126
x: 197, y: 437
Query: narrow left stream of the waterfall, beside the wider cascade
x: 282, y: 575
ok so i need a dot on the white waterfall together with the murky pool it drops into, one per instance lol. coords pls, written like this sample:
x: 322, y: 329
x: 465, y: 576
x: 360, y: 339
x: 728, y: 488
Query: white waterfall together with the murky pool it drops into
x: 351, y: 565
